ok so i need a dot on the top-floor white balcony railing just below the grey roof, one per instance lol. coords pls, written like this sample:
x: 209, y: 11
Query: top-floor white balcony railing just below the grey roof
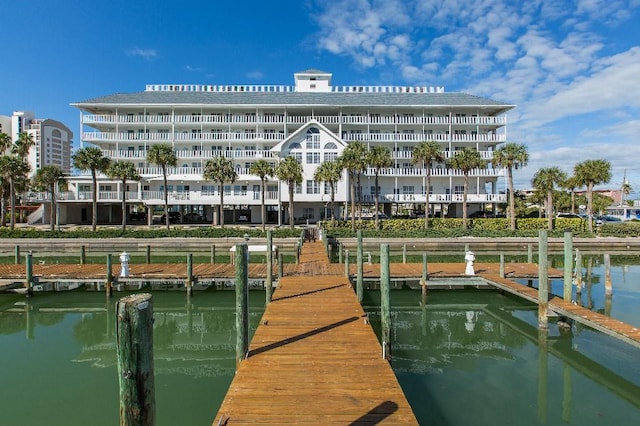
x: 220, y: 118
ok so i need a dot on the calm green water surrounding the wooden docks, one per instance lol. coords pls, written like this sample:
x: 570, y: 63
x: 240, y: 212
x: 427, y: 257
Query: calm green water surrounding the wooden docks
x: 466, y: 357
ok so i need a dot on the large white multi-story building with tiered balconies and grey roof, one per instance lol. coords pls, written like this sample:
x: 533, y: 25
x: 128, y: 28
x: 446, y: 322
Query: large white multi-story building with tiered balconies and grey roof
x: 312, y: 121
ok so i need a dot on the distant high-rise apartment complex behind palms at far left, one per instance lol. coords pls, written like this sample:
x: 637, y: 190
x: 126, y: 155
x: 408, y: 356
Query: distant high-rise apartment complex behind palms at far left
x: 53, y: 140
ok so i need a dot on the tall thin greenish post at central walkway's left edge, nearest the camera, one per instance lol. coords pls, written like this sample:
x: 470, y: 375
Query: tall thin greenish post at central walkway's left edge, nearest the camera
x: 242, y: 304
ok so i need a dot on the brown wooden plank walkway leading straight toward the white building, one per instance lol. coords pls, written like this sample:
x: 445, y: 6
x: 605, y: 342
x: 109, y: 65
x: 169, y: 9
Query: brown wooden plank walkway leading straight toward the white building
x: 314, y: 358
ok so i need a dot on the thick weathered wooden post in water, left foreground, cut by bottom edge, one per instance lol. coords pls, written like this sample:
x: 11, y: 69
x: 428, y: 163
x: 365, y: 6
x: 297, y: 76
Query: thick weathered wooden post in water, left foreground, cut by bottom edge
x: 134, y: 345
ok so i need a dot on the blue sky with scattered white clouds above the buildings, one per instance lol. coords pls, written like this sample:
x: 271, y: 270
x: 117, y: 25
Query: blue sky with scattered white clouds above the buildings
x: 571, y: 67
